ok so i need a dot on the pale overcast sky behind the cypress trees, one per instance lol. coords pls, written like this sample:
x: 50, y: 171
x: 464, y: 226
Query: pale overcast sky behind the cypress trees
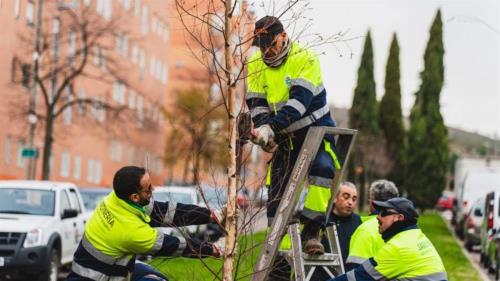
x: 470, y: 98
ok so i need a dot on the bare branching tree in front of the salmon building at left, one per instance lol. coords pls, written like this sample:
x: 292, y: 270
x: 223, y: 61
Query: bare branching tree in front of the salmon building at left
x: 70, y: 41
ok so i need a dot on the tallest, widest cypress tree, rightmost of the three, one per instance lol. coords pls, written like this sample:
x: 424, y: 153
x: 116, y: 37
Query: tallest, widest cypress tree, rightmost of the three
x: 428, y: 140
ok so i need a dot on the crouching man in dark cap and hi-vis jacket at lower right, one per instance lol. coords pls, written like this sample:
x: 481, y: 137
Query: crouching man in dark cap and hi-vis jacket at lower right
x: 407, y: 253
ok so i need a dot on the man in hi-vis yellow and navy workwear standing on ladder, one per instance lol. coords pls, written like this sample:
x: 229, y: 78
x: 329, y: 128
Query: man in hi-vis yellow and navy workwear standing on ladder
x: 286, y: 96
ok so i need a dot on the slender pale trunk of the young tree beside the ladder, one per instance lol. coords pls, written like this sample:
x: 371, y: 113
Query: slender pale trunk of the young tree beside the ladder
x: 231, y: 220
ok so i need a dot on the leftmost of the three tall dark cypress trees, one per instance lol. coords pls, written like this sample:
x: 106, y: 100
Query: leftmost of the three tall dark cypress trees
x: 363, y: 116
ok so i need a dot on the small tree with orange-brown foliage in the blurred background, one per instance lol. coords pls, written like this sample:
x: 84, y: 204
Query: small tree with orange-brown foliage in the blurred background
x: 196, y: 133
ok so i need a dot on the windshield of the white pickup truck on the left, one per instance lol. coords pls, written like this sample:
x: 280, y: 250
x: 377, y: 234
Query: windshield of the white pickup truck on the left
x: 27, y: 201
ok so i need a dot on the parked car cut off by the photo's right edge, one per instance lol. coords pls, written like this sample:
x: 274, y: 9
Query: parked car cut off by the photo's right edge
x: 490, y: 230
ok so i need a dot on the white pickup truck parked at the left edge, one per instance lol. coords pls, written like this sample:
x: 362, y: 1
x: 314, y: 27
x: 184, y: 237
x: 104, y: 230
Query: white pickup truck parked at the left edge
x: 41, y: 224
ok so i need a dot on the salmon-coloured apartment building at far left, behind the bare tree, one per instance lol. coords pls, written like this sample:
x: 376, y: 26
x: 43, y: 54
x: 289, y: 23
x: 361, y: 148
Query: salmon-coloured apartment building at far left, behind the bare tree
x: 126, y: 69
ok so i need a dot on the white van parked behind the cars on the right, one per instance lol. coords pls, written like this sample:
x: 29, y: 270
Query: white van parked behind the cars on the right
x: 476, y: 185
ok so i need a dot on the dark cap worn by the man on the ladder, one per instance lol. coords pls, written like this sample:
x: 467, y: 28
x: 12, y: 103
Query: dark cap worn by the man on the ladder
x: 265, y: 30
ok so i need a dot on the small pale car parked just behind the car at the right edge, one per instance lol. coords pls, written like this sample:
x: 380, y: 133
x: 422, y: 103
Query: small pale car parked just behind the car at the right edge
x: 472, y: 231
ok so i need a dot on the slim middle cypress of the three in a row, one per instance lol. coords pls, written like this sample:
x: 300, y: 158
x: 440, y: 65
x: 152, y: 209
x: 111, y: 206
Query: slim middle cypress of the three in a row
x: 391, y: 119
